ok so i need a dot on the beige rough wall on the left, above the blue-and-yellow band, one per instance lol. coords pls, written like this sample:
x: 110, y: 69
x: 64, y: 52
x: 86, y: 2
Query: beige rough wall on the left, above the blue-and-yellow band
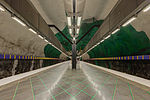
x: 17, y: 39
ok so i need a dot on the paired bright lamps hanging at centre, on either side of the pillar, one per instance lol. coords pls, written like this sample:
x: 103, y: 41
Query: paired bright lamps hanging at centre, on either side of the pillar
x: 69, y: 19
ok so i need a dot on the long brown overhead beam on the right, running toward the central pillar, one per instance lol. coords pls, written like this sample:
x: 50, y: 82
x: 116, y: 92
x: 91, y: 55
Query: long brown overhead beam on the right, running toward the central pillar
x: 123, y: 10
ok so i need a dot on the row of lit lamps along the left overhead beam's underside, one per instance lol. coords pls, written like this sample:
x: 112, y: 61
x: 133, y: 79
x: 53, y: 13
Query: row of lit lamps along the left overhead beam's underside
x: 2, y: 9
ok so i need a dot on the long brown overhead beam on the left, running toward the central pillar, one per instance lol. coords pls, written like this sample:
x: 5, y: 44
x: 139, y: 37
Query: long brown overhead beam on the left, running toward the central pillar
x: 28, y: 14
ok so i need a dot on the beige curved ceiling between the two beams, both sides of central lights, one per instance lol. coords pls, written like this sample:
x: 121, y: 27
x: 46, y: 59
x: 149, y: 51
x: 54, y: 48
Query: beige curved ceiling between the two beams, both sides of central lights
x: 54, y: 11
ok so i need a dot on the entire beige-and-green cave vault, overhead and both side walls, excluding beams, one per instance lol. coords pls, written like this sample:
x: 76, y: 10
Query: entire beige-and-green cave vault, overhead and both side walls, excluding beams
x: 54, y: 12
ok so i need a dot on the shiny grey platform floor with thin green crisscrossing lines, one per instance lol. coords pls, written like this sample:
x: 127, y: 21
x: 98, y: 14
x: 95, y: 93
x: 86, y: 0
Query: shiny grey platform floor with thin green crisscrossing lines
x: 62, y: 83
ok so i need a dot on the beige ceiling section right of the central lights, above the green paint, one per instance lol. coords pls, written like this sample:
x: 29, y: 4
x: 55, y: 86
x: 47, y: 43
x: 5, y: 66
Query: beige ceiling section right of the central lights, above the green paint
x: 98, y: 9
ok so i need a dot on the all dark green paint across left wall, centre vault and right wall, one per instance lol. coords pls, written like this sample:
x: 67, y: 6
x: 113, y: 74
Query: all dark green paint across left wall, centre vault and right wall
x: 126, y: 42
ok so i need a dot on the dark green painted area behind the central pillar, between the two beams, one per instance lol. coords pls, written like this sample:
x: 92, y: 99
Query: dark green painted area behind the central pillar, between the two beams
x: 84, y: 28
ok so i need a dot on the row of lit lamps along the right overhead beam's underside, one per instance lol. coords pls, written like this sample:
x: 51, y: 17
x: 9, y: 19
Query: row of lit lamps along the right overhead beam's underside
x: 147, y: 8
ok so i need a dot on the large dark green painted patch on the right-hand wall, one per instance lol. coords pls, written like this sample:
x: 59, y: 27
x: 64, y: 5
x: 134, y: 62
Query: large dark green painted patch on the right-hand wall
x: 126, y: 42
